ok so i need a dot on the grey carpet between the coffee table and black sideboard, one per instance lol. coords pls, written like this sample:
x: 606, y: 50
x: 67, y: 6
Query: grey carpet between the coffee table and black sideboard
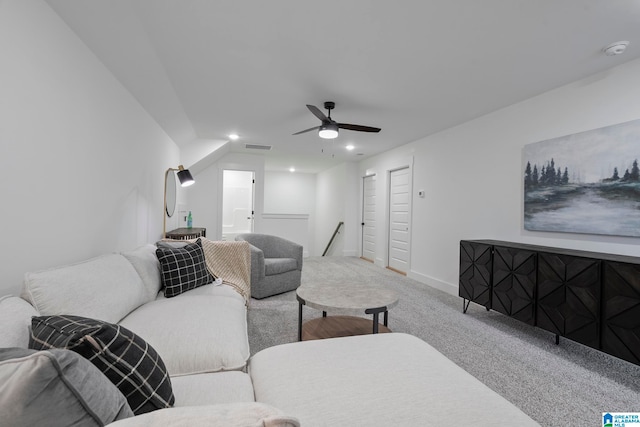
x: 564, y: 385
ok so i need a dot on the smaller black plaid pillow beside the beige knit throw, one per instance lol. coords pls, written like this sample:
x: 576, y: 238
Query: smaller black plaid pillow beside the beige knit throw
x: 182, y: 268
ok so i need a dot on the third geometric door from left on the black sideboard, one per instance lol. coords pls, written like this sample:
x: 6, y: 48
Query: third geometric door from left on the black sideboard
x: 569, y: 297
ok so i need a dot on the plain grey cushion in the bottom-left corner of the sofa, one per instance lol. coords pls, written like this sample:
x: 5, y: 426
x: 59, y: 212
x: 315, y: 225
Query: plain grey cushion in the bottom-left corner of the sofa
x: 56, y: 388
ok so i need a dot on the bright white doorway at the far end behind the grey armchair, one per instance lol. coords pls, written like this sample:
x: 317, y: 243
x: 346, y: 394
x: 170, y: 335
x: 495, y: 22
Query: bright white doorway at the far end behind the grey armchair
x: 237, y: 203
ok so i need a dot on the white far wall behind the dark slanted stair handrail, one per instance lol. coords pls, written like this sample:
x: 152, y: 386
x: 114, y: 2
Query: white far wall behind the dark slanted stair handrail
x: 337, y: 200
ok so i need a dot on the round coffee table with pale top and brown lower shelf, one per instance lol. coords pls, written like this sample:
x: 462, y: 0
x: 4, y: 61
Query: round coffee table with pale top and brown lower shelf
x: 352, y: 299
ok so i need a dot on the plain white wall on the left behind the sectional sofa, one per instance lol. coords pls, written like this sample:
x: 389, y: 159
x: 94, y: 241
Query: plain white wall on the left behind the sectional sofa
x: 82, y: 163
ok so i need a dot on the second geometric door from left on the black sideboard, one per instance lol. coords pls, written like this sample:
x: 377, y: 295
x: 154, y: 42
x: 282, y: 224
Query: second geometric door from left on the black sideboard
x: 514, y: 283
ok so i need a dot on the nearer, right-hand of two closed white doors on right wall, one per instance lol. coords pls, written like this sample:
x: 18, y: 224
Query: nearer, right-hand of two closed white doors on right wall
x: 399, y: 197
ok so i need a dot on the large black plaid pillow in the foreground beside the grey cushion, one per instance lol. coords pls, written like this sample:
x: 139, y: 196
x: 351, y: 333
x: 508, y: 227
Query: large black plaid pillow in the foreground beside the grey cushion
x: 122, y: 356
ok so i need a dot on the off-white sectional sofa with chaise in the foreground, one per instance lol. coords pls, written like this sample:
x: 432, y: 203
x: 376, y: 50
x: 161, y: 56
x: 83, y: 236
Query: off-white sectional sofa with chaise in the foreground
x: 201, y: 335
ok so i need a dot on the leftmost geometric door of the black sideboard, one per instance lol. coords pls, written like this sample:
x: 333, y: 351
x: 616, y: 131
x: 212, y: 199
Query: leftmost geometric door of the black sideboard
x: 475, y: 272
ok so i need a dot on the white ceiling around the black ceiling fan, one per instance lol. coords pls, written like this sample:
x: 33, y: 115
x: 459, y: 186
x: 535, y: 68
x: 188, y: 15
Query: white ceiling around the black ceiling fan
x: 205, y: 69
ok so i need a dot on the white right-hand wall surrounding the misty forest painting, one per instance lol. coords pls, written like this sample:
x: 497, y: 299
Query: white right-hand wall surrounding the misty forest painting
x: 472, y: 173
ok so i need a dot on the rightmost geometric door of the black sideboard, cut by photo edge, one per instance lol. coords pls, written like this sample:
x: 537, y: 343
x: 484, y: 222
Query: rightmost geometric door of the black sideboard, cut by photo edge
x: 621, y: 310
